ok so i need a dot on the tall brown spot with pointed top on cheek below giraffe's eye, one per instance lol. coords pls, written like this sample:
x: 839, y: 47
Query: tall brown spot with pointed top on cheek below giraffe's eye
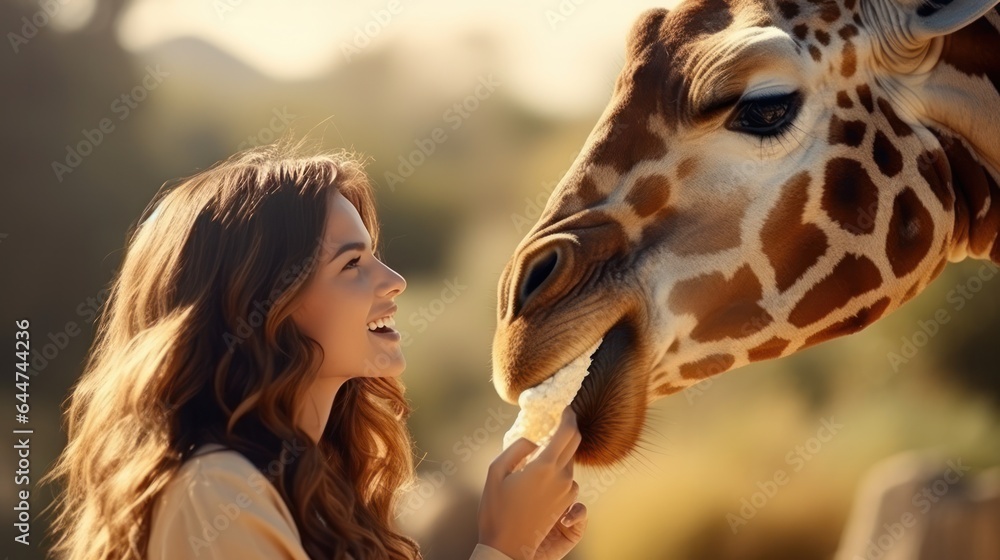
x: 792, y: 247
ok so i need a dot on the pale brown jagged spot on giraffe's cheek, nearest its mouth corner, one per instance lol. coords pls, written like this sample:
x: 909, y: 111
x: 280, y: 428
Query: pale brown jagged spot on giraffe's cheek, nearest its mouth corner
x: 724, y: 308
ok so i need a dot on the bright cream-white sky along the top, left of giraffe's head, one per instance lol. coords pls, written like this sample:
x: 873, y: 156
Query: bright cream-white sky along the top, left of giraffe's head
x: 559, y: 56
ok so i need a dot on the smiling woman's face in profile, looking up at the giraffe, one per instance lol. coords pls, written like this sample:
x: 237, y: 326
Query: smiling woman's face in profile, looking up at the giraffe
x: 351, y: 291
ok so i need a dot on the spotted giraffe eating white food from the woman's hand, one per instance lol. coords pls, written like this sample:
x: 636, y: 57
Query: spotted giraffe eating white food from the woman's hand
x: 768, y: 175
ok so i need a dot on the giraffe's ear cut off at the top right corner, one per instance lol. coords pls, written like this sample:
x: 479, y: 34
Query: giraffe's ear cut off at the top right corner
x: 926, y: 19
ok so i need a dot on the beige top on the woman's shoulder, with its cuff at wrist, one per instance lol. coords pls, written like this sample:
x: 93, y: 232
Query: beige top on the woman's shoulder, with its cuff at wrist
x: 220, y: 507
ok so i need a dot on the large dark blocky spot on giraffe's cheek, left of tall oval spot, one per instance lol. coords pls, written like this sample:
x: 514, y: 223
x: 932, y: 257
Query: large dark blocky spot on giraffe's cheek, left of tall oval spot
x: 850, y: 197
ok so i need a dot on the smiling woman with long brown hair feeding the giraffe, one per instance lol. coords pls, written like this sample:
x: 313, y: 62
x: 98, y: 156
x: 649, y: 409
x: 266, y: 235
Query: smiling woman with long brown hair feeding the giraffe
x: 242, y: 399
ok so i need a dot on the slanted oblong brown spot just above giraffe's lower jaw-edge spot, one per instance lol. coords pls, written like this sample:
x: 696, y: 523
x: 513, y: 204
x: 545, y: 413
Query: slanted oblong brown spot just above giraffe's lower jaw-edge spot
x: 853, y: 276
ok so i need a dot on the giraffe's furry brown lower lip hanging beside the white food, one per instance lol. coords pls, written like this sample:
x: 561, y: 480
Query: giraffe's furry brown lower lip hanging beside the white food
x: 611, y: 403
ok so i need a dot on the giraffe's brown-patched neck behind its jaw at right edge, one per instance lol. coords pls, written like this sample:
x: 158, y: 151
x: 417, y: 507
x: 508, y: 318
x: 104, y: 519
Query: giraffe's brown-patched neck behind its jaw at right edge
x: 962, y: 95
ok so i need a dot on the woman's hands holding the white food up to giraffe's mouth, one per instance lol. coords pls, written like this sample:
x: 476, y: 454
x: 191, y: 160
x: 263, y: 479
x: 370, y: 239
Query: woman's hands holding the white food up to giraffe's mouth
x: 521, y: 509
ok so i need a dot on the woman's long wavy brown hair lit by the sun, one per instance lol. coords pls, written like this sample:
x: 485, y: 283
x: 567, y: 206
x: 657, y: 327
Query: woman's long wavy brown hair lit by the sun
x: 197, y: 345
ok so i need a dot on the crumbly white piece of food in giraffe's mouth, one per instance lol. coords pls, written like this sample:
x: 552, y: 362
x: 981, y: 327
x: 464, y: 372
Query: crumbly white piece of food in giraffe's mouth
x: 542, y: 405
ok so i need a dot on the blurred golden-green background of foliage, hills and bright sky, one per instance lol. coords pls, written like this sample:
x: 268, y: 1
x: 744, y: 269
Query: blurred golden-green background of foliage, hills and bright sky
x: 450, y: 225
